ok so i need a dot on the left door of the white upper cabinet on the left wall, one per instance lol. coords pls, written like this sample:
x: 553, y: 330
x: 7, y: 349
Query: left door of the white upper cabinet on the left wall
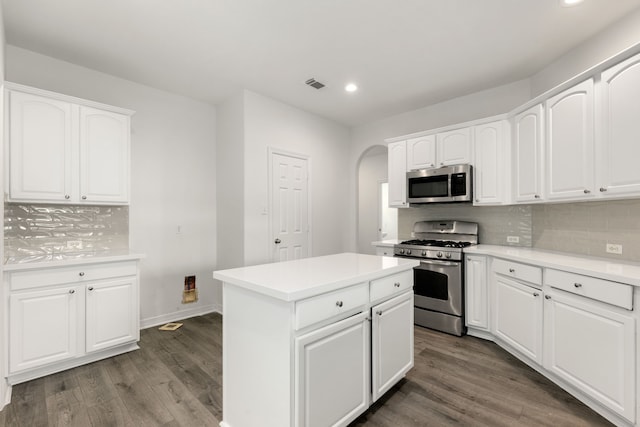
x: 41, y: 138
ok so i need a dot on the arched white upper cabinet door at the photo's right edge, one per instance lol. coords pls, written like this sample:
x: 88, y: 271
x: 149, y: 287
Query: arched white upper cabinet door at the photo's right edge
x: 619, y: 142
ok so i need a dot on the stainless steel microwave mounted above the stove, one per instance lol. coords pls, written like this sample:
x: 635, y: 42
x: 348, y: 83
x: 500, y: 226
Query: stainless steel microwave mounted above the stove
x: 441, y: 185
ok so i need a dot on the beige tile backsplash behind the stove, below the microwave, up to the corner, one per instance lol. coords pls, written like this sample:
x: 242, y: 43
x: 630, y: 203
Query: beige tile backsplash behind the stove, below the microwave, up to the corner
x: 495, y: 223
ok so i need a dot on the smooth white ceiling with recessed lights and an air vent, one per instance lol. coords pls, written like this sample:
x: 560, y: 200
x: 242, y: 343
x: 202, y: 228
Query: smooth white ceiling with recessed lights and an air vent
x: 403, y: 54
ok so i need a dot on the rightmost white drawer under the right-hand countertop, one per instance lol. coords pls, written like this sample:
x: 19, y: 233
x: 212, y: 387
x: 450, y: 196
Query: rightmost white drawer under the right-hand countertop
x: 606, y: 291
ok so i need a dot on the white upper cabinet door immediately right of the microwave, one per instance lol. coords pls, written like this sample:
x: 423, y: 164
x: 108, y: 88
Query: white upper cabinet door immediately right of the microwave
x: 490, y: 165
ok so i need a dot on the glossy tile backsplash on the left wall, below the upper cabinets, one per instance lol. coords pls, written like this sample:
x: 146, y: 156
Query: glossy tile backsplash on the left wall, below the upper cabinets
x: 42, y: 232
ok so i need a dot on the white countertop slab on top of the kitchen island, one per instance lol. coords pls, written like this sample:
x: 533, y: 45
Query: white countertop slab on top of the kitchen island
x: 303, y: 278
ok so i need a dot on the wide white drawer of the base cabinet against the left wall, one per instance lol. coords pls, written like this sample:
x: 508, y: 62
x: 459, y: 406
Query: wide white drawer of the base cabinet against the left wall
x: 76, y: 274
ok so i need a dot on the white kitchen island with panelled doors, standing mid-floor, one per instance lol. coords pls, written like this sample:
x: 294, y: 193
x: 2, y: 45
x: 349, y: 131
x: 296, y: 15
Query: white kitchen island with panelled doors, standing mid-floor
x: 314, y: 342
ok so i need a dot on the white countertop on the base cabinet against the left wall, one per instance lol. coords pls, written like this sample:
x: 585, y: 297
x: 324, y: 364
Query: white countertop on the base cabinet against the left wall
x: 69, y: 260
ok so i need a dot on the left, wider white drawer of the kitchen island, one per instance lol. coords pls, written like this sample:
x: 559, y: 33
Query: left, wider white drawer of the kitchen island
x: 315, y: 309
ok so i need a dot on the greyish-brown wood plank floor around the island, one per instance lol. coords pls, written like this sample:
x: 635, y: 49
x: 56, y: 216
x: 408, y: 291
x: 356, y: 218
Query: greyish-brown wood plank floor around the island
x: 175, y: 379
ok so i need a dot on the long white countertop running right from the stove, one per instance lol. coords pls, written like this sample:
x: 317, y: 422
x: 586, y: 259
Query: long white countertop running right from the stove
x: 618, y: 271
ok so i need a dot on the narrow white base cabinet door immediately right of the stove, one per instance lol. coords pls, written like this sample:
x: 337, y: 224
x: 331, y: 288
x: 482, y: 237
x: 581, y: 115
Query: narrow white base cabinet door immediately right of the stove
x: 476, y: 293
